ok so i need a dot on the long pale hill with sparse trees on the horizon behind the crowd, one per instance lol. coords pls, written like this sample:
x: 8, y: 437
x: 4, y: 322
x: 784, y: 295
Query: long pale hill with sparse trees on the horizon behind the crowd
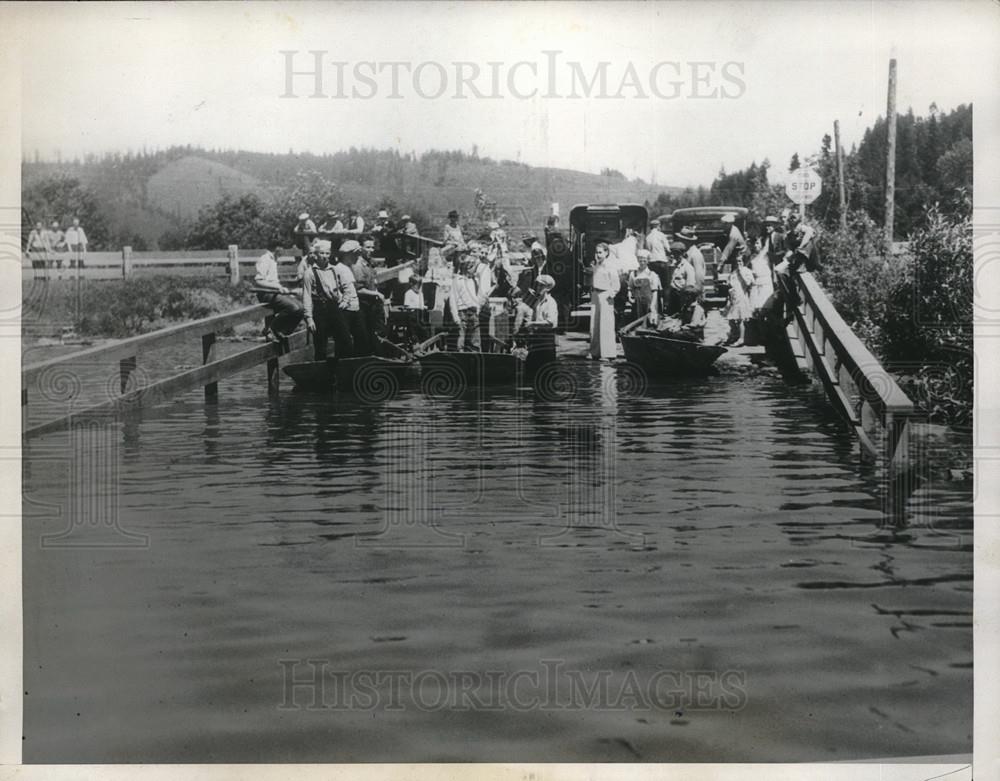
x: 148, y: 194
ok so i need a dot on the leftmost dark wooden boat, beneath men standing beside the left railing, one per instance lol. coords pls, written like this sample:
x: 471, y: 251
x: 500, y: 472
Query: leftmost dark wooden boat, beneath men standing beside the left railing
x: 371, y: 377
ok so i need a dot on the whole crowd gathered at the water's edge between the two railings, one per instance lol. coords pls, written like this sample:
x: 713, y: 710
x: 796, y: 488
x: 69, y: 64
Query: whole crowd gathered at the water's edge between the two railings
x: 459, y: 290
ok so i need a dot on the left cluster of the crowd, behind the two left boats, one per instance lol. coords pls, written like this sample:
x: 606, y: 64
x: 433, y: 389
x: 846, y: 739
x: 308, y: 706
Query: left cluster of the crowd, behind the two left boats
x: 340, y: 298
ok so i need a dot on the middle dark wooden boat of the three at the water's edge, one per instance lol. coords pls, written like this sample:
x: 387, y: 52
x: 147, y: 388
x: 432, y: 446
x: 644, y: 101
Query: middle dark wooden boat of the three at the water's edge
x: 450, y: 373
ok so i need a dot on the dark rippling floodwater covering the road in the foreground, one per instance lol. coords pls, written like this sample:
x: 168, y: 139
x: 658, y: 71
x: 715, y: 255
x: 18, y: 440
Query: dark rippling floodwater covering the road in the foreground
x: 595, y: 570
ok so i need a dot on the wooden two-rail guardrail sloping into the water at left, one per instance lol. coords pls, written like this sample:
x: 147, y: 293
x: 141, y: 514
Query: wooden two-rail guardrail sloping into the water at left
x: 128, y: 352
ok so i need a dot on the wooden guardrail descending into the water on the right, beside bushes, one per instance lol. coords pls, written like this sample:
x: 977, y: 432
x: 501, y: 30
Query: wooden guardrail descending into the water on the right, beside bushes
x: 846, y: 368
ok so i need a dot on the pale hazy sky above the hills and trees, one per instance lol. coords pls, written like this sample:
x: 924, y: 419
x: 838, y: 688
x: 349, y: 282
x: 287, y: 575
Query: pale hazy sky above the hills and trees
x: 690, y: 87
